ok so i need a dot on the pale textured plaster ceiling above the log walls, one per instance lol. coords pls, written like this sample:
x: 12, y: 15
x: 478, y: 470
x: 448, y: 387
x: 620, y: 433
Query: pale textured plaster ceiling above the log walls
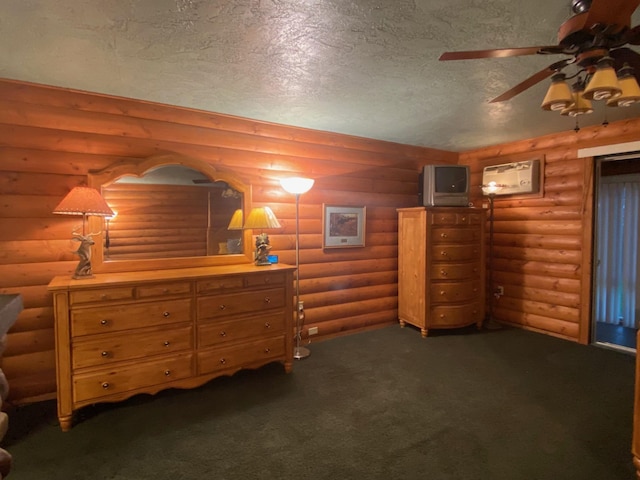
x: 362, y: 67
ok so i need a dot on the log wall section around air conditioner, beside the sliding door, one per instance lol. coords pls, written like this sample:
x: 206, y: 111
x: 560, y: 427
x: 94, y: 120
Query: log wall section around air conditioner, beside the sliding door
x: 542, y: 253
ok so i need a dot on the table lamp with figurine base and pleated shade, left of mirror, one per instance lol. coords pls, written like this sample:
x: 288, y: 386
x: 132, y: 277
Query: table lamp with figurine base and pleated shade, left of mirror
x: 84, y: 201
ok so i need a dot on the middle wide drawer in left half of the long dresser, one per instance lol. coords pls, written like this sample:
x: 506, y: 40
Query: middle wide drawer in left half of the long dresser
x: 109, y: 348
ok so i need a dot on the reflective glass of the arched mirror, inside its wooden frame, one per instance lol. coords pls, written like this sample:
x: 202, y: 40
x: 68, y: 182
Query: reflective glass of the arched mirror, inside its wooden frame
x: 170, y: 211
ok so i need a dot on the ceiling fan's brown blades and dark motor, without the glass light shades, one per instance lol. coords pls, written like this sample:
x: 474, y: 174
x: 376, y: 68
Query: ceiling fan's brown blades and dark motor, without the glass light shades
x: 597, y: 32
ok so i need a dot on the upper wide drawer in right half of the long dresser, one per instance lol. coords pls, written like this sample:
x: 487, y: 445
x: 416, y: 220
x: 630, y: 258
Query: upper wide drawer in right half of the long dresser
x: 237, y: 303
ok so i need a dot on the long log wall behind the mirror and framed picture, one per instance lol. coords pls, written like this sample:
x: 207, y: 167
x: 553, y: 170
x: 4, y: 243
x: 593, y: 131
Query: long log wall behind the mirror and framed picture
x: 51, y: 138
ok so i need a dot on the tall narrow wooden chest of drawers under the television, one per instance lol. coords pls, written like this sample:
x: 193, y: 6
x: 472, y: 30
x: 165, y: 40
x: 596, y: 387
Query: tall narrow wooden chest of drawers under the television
x: 441, y: 267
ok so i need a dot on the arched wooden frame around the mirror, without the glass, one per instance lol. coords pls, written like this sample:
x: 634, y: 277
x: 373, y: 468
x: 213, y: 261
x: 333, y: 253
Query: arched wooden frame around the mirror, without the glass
x: 118, y: 170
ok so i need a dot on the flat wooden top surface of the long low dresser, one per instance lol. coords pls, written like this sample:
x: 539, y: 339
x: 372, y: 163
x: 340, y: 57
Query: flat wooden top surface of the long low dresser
x: 64, y: 282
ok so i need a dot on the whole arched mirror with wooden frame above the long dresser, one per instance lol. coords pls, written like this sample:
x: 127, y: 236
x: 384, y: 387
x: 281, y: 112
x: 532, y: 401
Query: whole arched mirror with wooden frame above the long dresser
x: 172, y: 211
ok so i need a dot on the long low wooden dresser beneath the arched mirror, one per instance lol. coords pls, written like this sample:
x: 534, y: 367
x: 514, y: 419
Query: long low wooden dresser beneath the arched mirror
x: 121, y: 334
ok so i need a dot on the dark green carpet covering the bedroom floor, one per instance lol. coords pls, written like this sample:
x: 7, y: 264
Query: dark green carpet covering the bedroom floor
x: 385, y: 404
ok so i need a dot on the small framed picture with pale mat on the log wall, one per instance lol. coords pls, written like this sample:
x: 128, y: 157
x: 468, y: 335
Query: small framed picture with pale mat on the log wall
x: 343, y: 226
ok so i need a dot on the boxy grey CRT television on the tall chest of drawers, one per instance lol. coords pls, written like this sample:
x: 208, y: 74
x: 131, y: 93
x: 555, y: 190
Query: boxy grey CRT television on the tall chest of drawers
x: 444, y: 186
